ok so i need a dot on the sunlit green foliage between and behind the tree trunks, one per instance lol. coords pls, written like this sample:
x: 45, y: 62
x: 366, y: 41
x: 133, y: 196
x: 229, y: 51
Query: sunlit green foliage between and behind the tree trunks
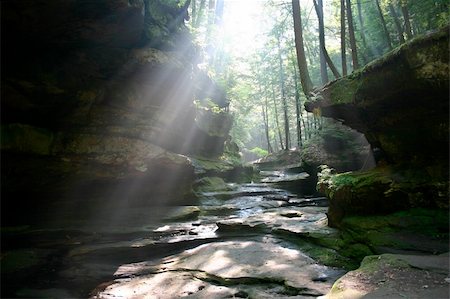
x: 252, y: 80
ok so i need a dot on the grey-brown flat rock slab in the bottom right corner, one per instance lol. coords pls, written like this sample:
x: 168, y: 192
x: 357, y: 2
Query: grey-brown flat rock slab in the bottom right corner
x: 395, y: 276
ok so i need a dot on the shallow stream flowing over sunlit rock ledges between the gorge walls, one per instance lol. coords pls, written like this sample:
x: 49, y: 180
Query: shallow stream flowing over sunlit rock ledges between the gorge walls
x: 249, y: 241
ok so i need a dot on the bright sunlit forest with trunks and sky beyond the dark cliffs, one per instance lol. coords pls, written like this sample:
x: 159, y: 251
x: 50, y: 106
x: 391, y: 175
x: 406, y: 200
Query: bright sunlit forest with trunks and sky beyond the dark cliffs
x: 269, y: 56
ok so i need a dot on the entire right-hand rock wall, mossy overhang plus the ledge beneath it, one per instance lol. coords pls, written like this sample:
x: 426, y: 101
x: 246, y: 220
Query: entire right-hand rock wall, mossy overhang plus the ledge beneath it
x: 400, y: 102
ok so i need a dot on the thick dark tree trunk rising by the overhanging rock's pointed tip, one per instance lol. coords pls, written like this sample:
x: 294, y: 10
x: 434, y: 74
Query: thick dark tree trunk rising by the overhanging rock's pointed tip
x: 305, y: 79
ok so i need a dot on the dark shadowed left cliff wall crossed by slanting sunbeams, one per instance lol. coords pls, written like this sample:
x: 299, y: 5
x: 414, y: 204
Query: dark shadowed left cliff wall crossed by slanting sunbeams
x: 98, y: 101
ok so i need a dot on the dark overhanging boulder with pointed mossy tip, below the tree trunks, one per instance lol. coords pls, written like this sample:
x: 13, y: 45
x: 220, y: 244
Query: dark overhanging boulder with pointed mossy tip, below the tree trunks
x: 400, y: 101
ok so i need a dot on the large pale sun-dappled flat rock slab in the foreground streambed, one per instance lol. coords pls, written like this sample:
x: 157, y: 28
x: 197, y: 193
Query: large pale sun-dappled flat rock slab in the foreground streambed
x: 227, y: 269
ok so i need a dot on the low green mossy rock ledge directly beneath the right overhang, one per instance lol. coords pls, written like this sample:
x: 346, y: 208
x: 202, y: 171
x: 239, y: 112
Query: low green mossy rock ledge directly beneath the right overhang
x: 378, y: 191
